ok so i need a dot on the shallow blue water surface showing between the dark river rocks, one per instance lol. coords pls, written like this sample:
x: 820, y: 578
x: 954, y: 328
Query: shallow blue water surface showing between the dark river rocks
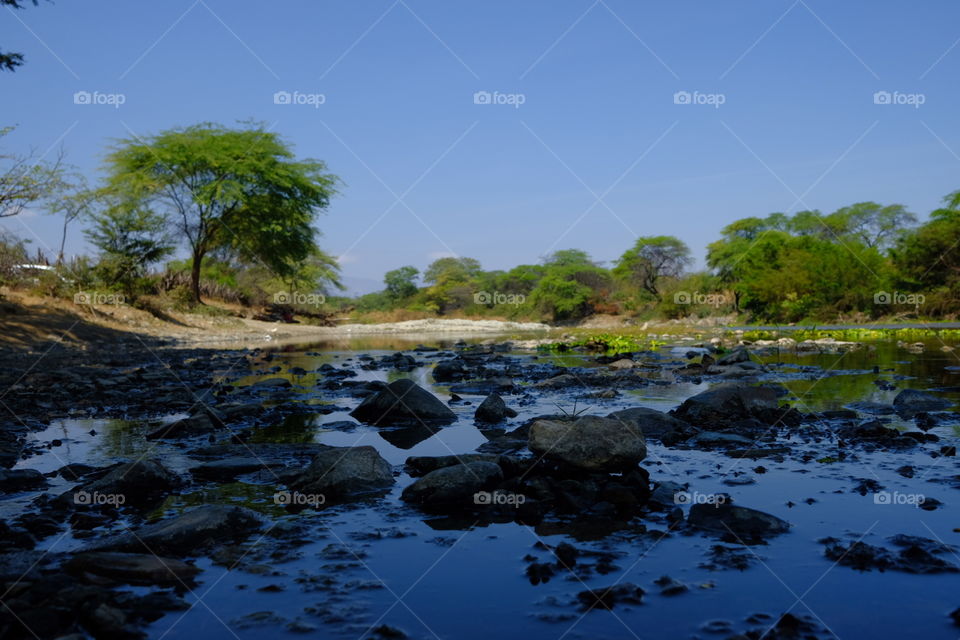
x: 440, y: 578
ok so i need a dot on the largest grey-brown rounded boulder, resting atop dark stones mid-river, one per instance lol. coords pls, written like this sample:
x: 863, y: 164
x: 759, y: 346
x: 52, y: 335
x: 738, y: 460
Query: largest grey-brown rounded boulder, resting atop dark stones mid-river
x: 591, y: 443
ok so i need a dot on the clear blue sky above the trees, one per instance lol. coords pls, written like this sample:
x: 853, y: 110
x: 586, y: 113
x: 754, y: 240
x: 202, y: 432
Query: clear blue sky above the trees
x: 599, y: 151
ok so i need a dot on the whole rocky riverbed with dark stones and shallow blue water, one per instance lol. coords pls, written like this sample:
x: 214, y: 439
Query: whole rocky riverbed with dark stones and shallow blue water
x: 477, y: 490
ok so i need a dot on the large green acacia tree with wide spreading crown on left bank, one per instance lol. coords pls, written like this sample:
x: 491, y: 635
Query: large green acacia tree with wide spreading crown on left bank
x: 240, y: 190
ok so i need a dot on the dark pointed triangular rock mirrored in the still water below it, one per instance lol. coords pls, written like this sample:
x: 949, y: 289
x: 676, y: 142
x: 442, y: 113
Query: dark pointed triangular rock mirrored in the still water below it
x: 402, y: 401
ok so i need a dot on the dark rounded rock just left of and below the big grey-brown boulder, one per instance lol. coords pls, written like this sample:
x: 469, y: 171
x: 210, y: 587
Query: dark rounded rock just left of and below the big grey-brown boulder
x: 455, y: 485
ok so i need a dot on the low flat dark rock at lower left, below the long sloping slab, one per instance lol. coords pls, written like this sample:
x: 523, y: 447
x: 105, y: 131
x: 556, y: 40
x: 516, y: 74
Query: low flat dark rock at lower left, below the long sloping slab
x: 132, y: 568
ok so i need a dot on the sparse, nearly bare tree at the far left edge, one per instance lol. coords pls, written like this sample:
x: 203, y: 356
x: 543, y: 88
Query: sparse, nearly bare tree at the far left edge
x: 26, y: 179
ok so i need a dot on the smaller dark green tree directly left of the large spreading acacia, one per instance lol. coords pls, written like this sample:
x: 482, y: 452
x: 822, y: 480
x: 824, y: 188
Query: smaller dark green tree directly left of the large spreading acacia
x: 130, y: 238
